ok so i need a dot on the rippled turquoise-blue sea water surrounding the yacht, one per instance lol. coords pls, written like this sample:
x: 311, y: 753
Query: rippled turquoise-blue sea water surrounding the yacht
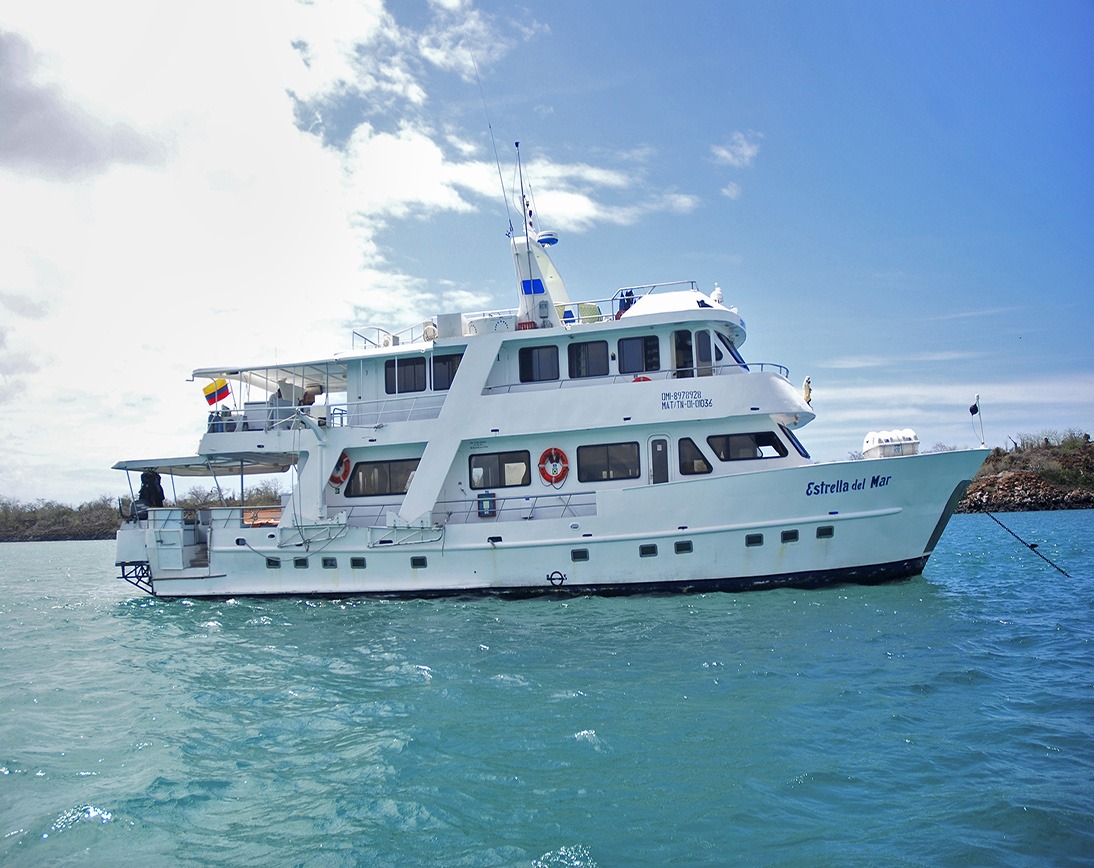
x: 948, y: 720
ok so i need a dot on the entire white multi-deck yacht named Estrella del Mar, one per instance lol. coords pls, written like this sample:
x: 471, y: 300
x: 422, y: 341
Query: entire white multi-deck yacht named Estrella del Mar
x: 614, y: 445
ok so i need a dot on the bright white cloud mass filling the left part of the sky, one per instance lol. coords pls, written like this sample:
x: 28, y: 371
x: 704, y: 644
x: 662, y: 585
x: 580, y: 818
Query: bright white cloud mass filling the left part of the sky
x: 208, y: 225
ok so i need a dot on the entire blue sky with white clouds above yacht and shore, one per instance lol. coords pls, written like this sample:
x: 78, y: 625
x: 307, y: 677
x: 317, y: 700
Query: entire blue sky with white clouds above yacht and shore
x: 899, y: 198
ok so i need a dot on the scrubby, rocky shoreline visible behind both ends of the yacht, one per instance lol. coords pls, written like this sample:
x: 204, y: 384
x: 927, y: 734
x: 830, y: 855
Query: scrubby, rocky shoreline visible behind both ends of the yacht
x: 1052, y: 470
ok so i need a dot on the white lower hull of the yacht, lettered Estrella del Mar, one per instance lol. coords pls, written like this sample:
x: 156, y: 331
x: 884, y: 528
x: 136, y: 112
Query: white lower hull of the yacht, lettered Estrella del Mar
x: 864, y: 523
